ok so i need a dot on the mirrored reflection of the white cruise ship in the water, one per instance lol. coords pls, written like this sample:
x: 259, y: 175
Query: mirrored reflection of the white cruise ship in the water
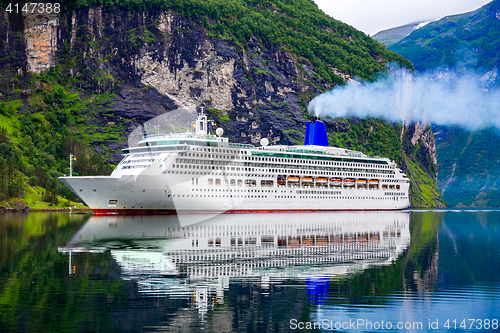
x: 165, y: 257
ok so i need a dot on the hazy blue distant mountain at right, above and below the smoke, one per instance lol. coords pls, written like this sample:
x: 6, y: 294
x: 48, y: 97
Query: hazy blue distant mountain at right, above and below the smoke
x: 465, y: 44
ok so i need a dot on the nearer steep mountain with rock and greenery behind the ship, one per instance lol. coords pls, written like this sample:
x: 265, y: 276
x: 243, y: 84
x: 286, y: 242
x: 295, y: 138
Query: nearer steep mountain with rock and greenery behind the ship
x: 80, y: 80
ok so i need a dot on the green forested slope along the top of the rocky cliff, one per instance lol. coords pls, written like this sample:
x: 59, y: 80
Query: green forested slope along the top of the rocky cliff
x: 296, y: 25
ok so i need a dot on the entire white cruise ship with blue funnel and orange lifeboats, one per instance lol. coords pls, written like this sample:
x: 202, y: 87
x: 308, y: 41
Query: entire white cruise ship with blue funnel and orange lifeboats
x: 198, y: 172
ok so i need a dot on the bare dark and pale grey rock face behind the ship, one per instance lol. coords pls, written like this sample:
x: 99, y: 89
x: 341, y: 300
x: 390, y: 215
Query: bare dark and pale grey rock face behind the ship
x: 151, y: 63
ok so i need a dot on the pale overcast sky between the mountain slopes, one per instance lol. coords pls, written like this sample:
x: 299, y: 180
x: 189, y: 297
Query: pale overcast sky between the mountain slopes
x: 372, y: 16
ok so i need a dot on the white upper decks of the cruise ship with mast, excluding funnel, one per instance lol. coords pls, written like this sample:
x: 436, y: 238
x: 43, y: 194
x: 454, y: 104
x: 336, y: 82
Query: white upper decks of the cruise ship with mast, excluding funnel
x: 215, y: 149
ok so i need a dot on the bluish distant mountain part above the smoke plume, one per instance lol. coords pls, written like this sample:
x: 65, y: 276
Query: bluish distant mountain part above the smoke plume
x: 464, y: 41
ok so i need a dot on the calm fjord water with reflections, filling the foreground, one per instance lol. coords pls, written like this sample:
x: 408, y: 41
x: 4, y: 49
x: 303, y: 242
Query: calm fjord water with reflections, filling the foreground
x: 65, y: 272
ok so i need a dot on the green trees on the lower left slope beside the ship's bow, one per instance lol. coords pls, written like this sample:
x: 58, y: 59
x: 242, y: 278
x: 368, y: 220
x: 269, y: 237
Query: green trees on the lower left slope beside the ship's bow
x: 35, y: 143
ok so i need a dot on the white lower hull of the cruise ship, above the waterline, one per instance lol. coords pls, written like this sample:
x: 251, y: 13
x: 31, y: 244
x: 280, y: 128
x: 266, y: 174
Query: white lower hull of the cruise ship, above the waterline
x: 157, y: 194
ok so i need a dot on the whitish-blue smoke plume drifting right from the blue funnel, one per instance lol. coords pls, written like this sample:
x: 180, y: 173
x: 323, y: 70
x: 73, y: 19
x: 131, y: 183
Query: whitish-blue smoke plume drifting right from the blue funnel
x: 439, y: 98
